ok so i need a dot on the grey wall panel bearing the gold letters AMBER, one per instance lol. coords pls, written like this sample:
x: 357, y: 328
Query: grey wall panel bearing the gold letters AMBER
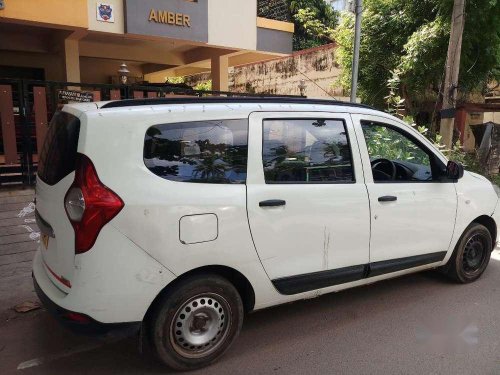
x: 179, y: 19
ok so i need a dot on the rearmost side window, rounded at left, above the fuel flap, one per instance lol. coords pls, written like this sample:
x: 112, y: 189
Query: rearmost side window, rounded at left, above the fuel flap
x: 213, y: 151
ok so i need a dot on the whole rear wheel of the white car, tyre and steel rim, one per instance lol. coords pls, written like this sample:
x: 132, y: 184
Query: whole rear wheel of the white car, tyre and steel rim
x: 196, y: 322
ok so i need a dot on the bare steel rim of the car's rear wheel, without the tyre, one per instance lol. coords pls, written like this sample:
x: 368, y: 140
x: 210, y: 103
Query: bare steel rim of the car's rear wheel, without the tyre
x: 200, y: 325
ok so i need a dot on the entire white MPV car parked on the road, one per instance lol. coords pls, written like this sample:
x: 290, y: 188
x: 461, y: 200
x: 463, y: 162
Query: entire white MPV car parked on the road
x: 178, y: 216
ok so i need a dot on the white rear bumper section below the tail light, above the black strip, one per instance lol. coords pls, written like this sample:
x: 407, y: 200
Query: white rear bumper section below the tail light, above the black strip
x: 113, y: 283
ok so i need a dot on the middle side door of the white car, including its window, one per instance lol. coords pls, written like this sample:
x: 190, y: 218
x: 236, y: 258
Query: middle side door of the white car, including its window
x: 307, y: 203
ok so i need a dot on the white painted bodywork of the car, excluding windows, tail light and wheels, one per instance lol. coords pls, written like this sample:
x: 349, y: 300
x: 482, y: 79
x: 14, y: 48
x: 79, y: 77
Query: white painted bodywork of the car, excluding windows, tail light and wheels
x: 168, y: 229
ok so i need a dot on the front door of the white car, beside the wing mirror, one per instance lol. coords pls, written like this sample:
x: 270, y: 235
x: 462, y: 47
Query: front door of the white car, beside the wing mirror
x: 413, y: 207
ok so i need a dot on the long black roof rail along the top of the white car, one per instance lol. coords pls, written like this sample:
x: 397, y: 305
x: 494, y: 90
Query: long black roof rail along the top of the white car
x: 228, y: 99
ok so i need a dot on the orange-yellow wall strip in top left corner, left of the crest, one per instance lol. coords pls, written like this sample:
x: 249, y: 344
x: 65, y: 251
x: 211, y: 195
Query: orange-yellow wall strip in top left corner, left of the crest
x: 69, y: 13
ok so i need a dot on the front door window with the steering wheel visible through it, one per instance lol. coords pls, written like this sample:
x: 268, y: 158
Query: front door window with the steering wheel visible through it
x: 394, y: 156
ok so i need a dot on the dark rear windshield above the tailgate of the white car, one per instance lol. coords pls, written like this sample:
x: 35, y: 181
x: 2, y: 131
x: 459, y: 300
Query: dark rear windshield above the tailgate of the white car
x: 58, y: 155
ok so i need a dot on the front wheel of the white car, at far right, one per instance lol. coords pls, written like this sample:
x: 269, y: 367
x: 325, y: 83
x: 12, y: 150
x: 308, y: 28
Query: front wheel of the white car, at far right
x: 471, y: 256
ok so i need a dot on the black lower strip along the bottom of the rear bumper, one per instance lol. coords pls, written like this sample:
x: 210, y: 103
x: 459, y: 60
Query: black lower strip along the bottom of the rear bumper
x: 81, y: 323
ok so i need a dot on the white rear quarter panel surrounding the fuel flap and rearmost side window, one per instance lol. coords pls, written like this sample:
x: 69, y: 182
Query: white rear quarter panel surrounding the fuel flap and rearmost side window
x: 154, y: 206
